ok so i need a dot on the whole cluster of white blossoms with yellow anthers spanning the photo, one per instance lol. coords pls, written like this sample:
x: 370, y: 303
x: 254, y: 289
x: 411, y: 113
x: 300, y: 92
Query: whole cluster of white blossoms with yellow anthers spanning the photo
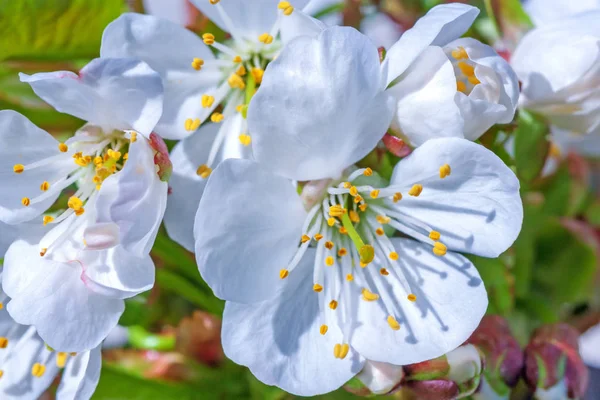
x: 328, y: 266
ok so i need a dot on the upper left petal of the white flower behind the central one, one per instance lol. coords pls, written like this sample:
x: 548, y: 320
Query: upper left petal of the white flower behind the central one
x: 169, y: 49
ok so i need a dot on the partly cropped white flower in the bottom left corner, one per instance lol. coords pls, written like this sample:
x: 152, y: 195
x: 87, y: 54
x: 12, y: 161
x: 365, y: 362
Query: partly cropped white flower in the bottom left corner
x: 28, y: 366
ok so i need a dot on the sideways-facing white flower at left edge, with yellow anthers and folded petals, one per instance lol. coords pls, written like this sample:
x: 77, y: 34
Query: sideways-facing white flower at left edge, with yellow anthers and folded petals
x: 70, y: 283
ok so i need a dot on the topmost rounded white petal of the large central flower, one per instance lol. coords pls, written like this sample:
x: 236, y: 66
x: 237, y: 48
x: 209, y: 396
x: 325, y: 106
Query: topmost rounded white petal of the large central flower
x: 320, y: 108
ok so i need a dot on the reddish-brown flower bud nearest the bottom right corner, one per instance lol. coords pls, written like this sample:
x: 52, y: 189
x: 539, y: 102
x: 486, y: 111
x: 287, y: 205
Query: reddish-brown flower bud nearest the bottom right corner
x: 553, y: 367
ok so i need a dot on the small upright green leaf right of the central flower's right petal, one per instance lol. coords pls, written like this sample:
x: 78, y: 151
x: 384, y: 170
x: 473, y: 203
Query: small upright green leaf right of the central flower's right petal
x: 531, y: 146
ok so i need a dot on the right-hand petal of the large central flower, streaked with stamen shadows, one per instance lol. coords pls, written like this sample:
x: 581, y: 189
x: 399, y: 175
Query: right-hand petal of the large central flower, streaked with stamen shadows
x: 477, y: 209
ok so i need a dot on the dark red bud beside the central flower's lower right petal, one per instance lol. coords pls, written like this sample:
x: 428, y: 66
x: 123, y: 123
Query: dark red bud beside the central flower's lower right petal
x: 502, y: 353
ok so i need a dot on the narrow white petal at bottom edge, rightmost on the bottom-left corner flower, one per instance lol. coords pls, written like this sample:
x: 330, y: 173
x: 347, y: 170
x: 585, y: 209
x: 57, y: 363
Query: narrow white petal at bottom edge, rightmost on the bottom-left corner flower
x: 81, y: 375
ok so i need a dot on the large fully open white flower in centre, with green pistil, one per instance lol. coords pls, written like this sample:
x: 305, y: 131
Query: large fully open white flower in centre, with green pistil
x: 302, y: 312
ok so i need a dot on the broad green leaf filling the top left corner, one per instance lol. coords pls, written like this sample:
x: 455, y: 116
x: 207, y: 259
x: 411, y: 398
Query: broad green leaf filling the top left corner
x: 54, y: 30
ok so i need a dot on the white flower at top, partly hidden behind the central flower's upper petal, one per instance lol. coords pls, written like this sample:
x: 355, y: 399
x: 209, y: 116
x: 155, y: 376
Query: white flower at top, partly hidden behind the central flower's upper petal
x: 196, y: 83
